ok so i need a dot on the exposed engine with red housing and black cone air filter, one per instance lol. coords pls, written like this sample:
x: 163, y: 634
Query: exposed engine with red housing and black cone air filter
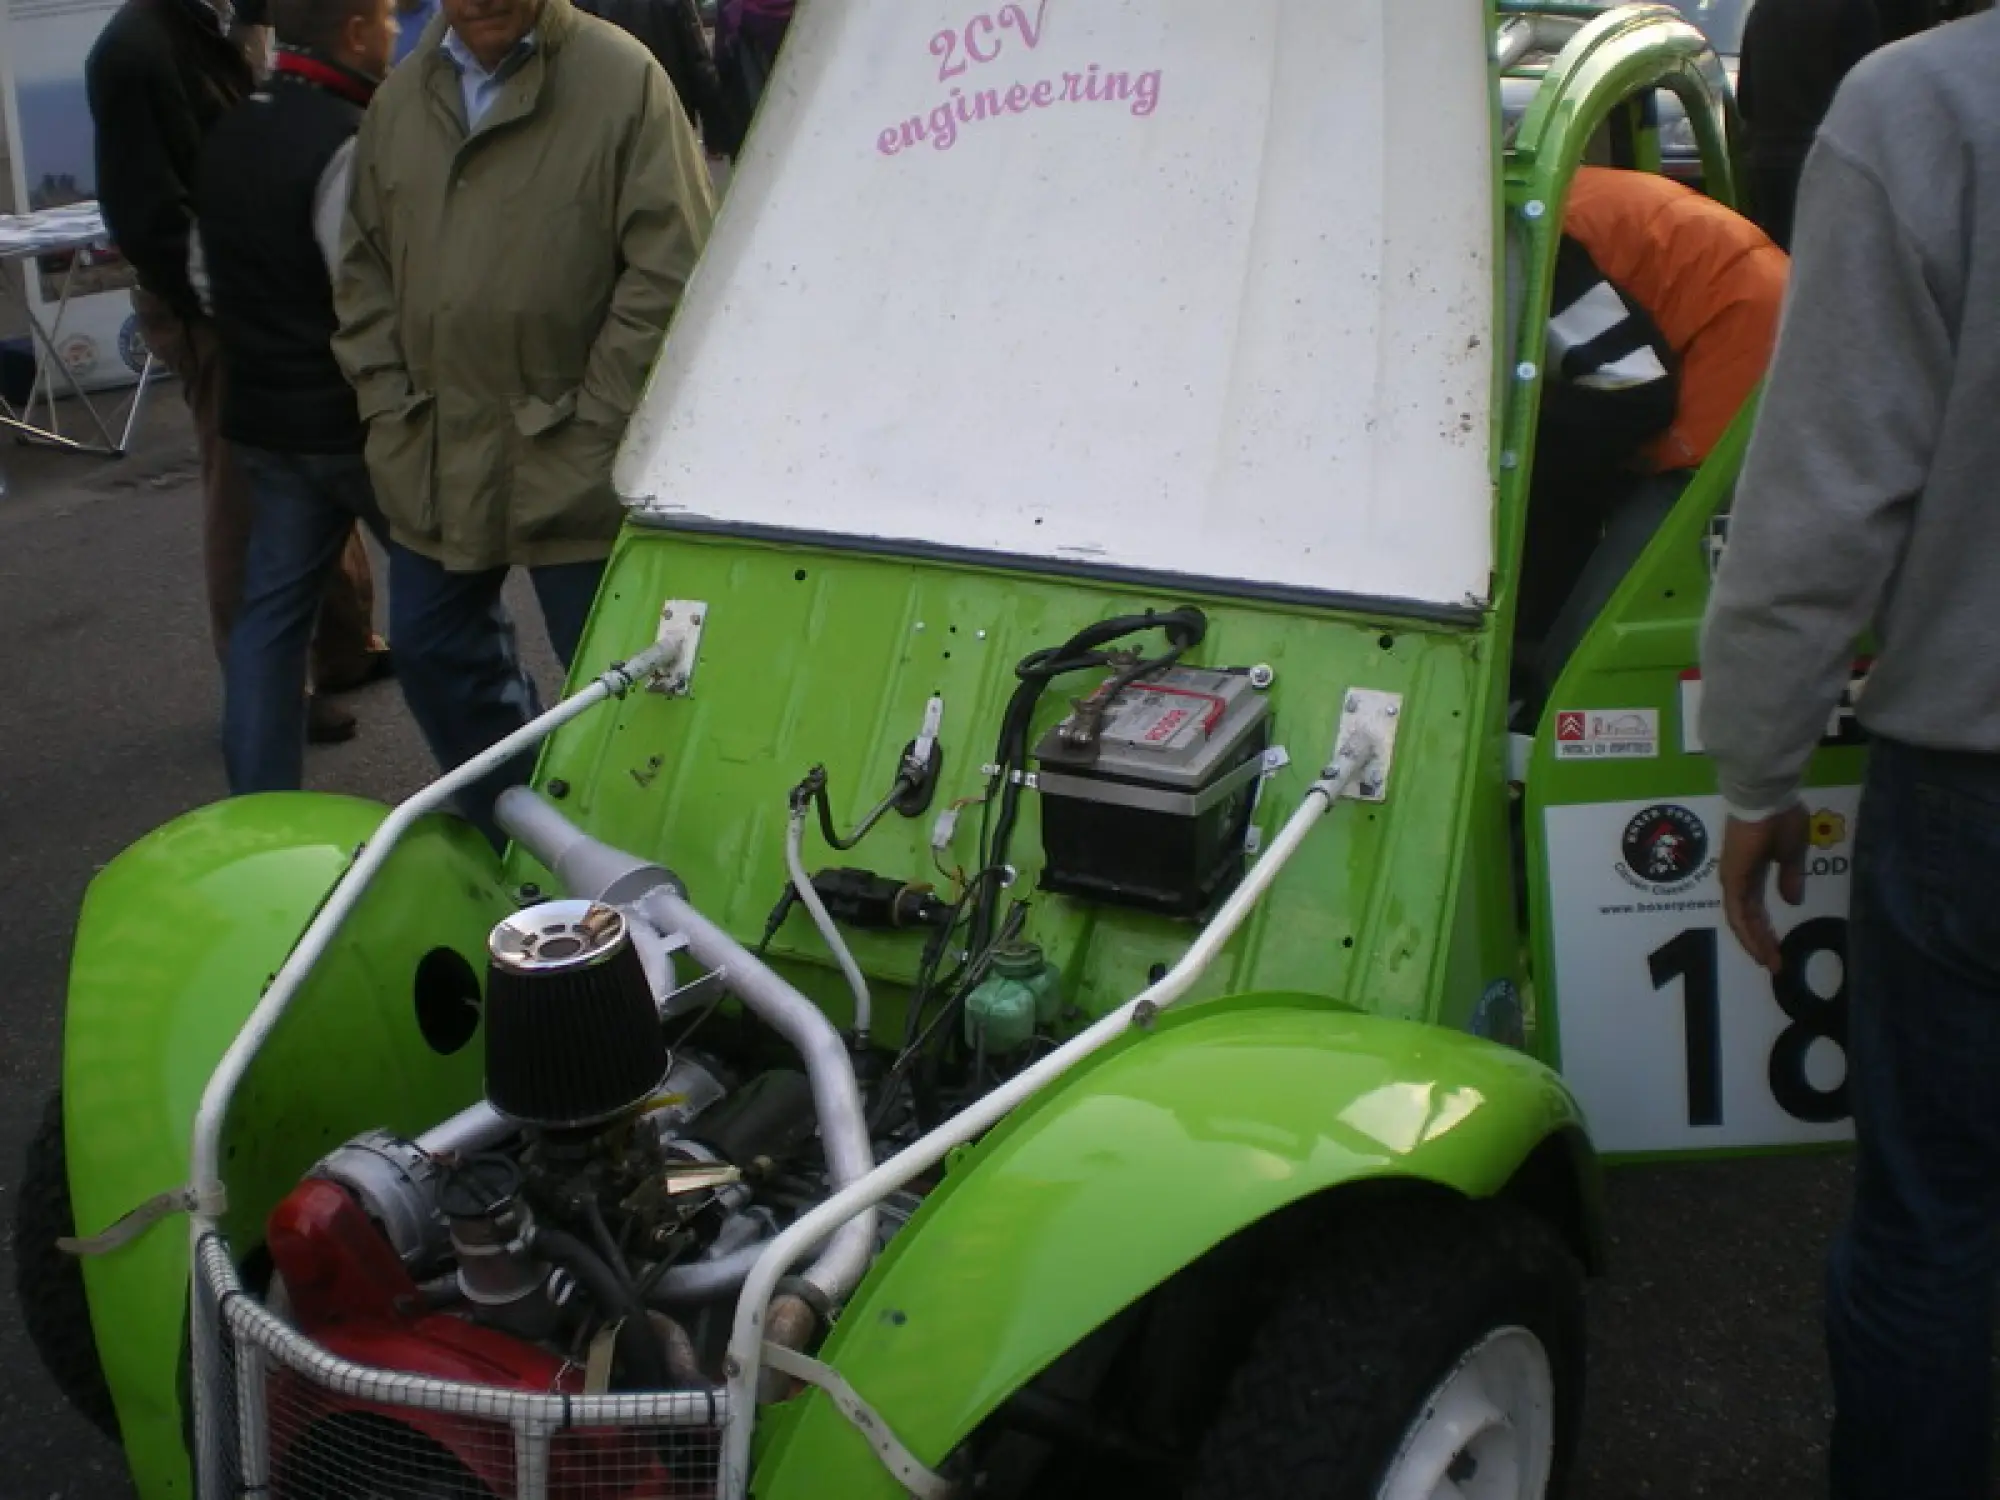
x: 605, y: 1199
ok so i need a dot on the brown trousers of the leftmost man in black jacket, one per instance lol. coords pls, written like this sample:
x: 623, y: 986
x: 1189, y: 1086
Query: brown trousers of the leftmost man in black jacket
x: 193, y: 351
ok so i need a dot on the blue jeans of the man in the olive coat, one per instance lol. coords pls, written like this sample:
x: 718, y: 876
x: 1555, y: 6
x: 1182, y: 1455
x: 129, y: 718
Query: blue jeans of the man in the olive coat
x: 459, y: 661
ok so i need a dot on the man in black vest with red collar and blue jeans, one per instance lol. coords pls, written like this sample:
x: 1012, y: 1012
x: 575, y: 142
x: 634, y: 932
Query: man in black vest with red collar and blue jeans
x: 271, y: 197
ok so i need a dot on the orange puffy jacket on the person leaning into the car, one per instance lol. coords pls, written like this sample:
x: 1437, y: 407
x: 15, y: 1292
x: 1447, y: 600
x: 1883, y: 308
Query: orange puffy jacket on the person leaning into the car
x: 1711, y: 279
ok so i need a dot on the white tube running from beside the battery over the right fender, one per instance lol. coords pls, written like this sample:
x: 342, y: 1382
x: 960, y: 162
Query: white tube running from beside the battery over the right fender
x: 745, y: 1367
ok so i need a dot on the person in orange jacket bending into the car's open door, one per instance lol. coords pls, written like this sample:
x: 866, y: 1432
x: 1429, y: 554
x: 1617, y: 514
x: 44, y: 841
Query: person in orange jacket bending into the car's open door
x: 1705, y: 287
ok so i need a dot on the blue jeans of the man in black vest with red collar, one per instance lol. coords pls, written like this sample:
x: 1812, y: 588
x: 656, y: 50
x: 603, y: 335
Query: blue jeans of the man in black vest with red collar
x: 303, y: 509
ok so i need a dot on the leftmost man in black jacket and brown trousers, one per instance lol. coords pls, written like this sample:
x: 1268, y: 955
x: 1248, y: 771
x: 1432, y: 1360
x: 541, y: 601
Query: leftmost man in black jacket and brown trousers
x: 161, y: 75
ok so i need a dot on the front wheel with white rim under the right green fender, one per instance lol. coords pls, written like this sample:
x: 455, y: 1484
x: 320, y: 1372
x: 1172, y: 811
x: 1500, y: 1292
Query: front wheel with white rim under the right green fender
x: 1427, y: 1353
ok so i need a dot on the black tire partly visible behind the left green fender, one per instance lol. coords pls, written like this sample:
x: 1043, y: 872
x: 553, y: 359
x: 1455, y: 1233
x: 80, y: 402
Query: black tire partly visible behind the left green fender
x: 51, y: 1285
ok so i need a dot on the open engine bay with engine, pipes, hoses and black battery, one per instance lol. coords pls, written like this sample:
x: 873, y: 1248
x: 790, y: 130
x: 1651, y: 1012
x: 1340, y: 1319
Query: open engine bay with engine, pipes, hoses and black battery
x: 663, y: 1105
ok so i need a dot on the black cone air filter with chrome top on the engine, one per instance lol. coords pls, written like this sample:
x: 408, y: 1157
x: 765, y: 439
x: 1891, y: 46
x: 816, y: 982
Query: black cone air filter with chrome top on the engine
x: 573, y: 1035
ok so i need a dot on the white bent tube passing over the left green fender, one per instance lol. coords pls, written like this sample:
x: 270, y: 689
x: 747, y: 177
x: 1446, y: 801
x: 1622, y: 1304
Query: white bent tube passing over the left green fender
x: 207, y: 1189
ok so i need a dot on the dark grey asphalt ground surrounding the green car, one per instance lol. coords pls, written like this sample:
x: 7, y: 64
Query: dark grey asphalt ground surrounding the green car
x: 1707, y: 1371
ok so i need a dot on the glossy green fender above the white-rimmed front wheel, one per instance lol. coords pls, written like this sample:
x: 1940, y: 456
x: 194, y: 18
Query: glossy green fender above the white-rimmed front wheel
x: 1129, y: 1171
